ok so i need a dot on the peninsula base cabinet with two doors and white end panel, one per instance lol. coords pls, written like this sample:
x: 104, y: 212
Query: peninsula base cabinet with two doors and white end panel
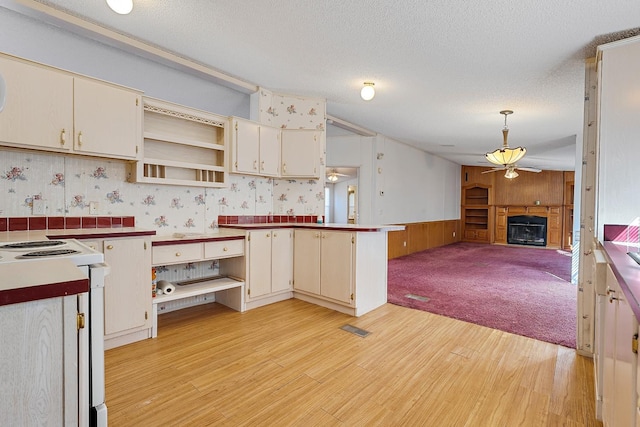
x: 342, y: 270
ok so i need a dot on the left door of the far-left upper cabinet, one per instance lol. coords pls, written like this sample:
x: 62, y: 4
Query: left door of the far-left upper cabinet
x: 38, y: 108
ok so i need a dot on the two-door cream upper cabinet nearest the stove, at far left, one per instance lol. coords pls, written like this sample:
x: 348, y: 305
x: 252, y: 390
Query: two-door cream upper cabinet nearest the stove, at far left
x: 53, y: 110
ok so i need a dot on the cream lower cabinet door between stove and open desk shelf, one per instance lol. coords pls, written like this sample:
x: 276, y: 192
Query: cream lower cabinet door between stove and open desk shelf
x: 127, y: 289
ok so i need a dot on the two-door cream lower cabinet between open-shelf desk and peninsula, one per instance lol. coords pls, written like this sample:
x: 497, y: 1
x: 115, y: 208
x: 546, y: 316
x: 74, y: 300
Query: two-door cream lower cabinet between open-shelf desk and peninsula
x: 270, y: 266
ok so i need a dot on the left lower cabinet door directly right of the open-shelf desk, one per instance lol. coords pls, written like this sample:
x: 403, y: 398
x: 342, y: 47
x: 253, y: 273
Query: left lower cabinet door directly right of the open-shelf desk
x: 259, y: 280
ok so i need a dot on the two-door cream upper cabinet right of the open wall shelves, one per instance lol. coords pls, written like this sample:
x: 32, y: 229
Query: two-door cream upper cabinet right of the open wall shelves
x: 256, y: 148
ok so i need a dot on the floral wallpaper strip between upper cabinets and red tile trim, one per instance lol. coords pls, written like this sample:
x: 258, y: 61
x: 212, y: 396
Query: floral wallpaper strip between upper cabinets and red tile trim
x: 68, y: 185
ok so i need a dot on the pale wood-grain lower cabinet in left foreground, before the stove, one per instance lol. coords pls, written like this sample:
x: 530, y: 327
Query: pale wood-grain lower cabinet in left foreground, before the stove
x: 39, y: 362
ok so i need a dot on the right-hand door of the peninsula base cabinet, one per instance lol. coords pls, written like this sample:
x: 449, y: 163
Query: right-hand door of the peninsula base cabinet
x: 336, y: 259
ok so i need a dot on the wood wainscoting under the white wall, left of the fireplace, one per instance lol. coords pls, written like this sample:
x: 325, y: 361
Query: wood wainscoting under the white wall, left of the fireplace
x: 419, y: 236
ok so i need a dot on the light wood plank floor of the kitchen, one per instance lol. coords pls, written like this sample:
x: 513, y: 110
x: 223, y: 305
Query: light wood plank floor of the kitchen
x: 290, y: 364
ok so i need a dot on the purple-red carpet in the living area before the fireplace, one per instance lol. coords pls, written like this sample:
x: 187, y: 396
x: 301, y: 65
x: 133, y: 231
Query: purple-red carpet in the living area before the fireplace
x: 516, y: 289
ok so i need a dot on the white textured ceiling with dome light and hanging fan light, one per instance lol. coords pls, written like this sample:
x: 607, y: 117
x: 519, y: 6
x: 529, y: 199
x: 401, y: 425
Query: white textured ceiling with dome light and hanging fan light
x: 442, y: 69
